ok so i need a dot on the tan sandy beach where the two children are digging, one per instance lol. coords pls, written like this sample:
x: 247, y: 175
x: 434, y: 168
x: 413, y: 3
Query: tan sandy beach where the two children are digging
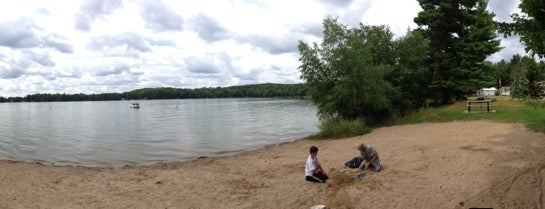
x: 431, y: 165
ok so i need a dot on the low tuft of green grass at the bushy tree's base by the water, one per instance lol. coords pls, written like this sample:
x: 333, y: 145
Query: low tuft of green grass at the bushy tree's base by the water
x: 339, y: 128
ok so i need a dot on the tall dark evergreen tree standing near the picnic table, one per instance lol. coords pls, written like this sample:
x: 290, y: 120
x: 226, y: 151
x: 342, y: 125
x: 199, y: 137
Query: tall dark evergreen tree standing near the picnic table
x: 461, y: 34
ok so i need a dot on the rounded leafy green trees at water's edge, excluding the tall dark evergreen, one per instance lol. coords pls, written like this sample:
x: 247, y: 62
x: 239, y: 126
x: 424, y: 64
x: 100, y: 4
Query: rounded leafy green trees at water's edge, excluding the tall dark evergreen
x: 362, y: 73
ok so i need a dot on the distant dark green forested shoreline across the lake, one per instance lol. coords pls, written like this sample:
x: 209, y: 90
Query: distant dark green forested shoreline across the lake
x: 255, y: 90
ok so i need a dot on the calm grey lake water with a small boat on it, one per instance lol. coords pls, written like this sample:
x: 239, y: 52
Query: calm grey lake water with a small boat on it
x: 110, y: 133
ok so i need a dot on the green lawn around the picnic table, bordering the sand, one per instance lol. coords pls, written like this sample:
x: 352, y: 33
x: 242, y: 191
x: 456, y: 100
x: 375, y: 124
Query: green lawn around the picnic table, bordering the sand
x: 531, y: 113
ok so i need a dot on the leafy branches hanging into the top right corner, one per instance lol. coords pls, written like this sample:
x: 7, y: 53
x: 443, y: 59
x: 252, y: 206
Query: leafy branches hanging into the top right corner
x: 529, y: 25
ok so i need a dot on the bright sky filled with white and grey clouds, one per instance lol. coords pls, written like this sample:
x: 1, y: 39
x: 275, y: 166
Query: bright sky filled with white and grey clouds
x: 106, y: 46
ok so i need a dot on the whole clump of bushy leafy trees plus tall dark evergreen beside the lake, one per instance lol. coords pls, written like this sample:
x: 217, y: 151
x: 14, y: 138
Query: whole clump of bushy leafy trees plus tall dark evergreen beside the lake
x: 361, y: 73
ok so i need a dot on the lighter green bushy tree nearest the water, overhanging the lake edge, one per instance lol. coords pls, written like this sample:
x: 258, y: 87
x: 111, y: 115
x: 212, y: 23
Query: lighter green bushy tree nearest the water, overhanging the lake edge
x: 345, y: 74
